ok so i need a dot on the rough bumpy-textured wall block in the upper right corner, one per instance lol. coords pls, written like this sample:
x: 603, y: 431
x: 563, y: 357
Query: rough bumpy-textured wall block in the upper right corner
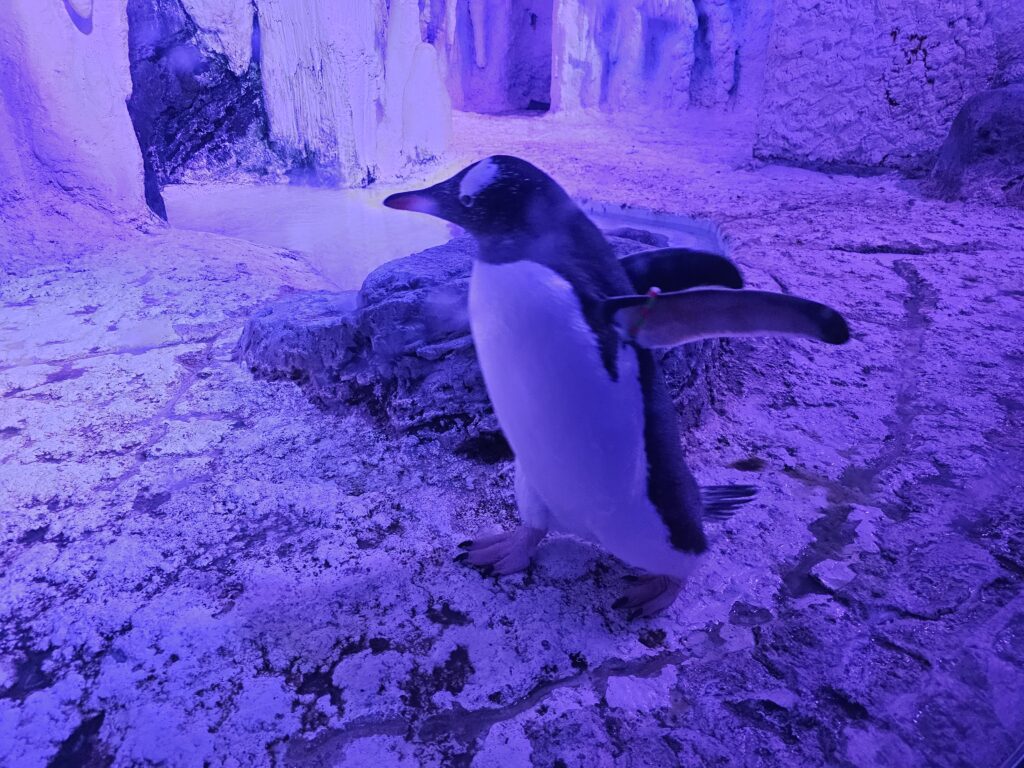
x: 872, y: 84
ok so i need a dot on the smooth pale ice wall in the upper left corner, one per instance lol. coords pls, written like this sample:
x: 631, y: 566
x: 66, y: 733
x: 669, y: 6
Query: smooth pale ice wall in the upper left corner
x: 66, y: 138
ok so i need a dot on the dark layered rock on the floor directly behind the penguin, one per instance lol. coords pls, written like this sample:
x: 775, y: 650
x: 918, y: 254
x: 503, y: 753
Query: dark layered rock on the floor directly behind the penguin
x: 402, y: 348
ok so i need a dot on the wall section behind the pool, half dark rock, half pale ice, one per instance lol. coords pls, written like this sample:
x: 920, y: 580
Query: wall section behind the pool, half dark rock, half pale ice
x: 326, y: 91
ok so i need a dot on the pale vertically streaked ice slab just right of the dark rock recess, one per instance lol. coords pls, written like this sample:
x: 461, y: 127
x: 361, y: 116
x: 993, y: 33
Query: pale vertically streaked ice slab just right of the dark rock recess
x: 336, y: 78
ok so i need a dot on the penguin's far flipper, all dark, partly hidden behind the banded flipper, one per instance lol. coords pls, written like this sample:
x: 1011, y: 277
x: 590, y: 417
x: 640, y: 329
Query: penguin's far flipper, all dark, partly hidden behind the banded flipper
x: 679, y: 269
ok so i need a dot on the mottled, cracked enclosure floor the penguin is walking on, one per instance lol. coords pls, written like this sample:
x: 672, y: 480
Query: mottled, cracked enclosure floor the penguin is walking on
x: 202, y: 568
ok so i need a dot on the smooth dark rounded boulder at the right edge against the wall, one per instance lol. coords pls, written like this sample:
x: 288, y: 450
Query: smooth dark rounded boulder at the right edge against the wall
x: 984, y: 156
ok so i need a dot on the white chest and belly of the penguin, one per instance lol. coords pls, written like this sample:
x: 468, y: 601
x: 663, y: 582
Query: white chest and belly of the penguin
x: 578, y: 435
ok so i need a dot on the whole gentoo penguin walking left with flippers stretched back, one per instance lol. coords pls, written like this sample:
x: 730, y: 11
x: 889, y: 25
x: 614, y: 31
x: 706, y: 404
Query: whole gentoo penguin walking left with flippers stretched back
x: 563, y: 330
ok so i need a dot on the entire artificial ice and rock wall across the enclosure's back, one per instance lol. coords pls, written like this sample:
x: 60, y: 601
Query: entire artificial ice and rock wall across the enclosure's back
x: 352, y: 93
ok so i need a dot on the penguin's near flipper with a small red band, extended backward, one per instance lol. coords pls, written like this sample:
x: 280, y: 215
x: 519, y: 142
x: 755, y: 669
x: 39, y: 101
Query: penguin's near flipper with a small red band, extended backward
x: 666, y: 320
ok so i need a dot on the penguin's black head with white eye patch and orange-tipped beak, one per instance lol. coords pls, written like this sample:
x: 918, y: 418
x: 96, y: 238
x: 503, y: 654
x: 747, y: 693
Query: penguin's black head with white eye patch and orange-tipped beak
x: 499, y: 196
